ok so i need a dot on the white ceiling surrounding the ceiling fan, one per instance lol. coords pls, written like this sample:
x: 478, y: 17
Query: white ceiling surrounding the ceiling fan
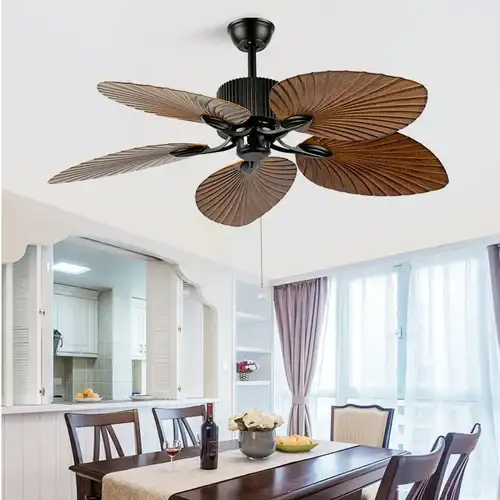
x: 54, y: 53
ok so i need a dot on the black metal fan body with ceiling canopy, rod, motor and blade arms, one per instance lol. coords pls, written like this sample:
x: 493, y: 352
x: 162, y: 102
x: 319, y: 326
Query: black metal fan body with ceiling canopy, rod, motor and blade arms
x: 255, y: 139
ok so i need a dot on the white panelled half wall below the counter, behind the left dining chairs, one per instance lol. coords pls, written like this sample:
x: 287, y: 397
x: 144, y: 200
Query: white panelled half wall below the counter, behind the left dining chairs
x: 37, y: 452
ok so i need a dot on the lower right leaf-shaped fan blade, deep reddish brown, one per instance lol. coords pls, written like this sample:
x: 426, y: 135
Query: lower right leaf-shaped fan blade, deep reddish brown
x: 392, y: 166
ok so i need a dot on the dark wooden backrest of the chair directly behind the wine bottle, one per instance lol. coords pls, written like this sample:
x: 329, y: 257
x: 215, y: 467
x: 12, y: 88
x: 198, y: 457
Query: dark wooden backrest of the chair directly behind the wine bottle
x: 181, y: 428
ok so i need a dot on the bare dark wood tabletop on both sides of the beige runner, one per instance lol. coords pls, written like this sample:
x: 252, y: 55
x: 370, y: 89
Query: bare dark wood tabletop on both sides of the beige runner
x: 341, y: 474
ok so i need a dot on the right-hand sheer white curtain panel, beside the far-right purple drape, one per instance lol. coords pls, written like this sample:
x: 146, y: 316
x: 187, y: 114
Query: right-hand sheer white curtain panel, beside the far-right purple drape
x: 453, y: 373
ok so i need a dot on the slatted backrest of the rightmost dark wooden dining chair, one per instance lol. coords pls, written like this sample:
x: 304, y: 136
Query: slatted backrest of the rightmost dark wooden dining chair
x: 458, y: 444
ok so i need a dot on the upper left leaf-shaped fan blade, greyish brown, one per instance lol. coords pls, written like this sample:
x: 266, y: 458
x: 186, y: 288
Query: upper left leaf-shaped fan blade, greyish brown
x: 173, y: 103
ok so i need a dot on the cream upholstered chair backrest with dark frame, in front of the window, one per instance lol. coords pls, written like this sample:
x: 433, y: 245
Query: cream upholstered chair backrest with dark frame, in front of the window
x: 364, y: 425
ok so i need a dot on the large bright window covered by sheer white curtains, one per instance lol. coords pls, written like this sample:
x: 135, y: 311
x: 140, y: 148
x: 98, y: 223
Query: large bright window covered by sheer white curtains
x: 418, y: 337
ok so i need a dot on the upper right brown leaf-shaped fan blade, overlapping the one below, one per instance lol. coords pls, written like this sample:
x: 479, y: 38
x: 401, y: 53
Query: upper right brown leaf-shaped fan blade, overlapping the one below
x: 349, y: 105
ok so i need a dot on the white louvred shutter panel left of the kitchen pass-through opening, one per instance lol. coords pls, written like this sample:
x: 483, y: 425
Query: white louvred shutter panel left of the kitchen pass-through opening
x: 27, y: 351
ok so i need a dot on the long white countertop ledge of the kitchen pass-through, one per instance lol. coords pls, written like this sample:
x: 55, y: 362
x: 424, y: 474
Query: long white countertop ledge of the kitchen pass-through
x: 103, y: 405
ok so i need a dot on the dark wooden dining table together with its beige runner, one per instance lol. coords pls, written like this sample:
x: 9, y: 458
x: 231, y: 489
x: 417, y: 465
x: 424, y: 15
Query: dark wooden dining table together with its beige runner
x: 335, y: 472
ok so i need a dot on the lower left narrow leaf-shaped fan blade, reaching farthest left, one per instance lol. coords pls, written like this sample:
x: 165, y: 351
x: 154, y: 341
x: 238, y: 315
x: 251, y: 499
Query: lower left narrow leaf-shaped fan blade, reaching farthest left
x: 129, y: 160
